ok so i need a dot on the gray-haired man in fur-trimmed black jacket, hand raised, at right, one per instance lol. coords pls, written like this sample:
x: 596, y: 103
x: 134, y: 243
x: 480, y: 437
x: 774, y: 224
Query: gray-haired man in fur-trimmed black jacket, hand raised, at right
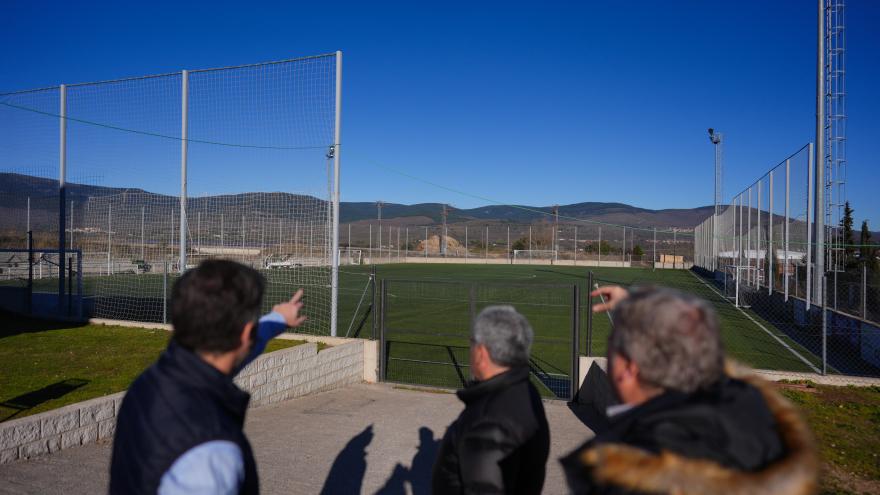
x: 686, y: 423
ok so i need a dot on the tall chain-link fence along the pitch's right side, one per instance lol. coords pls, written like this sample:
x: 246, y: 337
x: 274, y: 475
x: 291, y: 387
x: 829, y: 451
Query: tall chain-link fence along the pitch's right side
x: 759, y: 252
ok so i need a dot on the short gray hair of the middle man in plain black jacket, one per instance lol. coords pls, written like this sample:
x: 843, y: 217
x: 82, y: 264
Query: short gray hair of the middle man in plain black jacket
x: 506, y: 334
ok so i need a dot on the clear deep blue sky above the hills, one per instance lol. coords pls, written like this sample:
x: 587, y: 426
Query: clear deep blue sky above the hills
x: 528, y: 103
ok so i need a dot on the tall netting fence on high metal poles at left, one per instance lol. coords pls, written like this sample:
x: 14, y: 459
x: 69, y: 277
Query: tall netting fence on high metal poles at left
x: 148, y: 176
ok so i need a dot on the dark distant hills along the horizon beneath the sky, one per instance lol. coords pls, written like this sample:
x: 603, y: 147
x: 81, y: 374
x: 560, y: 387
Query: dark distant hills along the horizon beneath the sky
x: 15, y: 188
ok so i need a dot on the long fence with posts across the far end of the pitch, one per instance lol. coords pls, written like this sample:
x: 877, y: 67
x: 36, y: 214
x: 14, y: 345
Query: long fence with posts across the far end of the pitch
x: 566, y: 244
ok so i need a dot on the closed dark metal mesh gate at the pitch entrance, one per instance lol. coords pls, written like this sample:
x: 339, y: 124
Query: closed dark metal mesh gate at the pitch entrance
x: 425, y: 330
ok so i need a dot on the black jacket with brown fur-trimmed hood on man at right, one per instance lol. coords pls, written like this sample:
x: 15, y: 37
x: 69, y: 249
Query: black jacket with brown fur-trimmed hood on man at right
x: 739, y: 436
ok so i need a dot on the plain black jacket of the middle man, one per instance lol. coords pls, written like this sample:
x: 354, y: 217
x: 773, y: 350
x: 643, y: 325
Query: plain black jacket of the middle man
x: 499, y: 443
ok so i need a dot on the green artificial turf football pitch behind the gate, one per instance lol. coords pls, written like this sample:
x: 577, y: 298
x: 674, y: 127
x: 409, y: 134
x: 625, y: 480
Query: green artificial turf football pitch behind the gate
x: 428, y: 308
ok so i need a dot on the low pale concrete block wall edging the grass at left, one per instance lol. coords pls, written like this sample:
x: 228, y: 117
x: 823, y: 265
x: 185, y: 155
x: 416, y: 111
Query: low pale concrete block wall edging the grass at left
x: 271, y: 378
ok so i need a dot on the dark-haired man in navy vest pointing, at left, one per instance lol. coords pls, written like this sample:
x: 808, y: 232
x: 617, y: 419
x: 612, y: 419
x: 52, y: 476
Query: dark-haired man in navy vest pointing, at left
x: 179, y: 429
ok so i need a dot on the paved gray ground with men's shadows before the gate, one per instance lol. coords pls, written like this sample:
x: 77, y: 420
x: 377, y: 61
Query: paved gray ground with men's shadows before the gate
x: 362, y: 439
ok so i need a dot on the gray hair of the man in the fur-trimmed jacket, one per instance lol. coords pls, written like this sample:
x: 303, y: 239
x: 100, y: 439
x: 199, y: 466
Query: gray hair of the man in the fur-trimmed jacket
x: 673, y: 337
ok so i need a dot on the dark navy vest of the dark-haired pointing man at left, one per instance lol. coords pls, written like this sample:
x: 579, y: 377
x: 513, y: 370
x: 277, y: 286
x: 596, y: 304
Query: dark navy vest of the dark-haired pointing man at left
x: 176, y: 404
